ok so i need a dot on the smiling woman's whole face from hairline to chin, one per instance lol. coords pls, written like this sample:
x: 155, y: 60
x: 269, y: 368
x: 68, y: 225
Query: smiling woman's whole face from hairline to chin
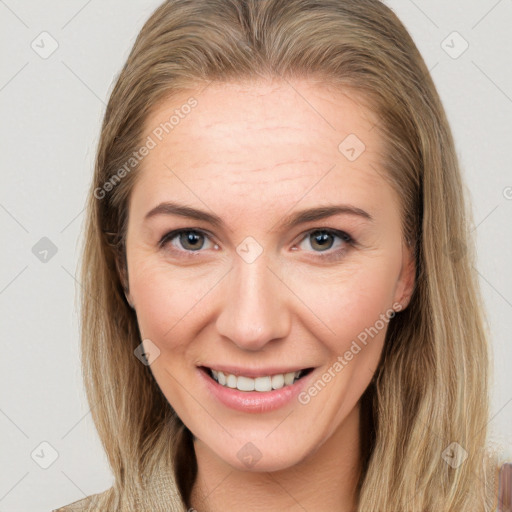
x: 252, y: 288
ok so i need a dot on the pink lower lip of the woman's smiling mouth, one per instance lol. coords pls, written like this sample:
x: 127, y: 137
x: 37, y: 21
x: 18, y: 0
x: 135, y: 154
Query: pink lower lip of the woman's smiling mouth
x: 254, y: 401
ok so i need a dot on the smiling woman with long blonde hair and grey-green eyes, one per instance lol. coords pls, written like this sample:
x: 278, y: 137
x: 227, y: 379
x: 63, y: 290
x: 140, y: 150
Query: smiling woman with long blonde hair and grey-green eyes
x: 229, y: 362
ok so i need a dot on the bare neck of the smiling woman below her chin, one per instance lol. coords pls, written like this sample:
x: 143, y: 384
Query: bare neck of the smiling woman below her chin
x: 325, y: 480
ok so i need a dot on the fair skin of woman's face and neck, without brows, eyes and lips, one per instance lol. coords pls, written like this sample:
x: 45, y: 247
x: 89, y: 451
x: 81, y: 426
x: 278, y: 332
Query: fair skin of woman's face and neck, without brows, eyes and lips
x: 252, y: 154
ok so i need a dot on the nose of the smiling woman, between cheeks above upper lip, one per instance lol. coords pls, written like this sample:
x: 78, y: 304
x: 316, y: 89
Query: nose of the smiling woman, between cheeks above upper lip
x: 254, y: 309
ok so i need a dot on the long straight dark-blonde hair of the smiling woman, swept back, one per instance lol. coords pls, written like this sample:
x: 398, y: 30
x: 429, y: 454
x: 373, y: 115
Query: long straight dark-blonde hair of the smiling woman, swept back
x: 431, y: 387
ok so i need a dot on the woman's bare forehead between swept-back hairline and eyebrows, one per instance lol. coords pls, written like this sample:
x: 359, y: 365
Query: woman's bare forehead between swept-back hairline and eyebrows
x: 264, y: 142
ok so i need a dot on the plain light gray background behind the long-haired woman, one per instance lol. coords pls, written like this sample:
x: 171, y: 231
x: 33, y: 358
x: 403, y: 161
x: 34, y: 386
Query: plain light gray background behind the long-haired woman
x: 50, y: 111
